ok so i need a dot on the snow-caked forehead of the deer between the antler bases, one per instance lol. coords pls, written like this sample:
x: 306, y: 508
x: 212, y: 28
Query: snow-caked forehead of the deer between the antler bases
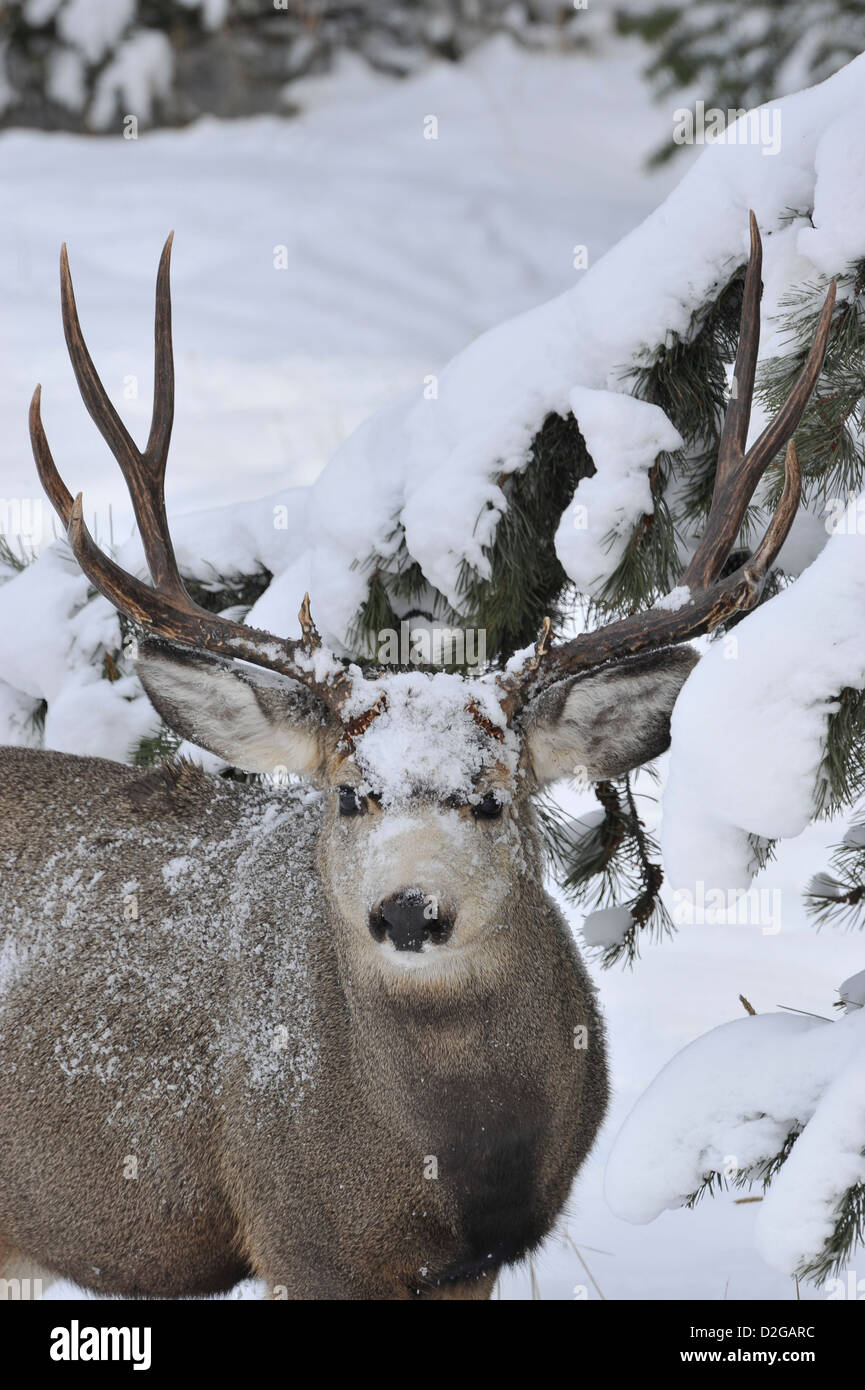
x: 430, y: 742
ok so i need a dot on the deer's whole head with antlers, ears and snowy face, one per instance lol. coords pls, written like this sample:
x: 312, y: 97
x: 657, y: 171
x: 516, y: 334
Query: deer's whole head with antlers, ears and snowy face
x: 429, y: 779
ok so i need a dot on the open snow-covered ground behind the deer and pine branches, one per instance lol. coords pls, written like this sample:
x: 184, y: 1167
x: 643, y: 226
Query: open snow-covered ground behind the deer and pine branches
x: 398, y: 251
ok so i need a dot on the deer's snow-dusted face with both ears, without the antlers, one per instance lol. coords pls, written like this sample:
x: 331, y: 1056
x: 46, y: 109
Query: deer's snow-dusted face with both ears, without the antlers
x: 428, y: 828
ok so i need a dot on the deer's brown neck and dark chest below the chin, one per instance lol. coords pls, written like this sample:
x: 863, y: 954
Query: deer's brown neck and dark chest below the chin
x: 435, y: 1063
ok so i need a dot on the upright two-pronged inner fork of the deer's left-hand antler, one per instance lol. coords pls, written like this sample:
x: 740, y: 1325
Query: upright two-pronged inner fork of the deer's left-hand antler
x: 144, y: 473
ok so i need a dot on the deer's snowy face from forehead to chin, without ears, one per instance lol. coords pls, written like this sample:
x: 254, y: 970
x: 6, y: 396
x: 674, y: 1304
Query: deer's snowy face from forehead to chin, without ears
x: 422, y: 840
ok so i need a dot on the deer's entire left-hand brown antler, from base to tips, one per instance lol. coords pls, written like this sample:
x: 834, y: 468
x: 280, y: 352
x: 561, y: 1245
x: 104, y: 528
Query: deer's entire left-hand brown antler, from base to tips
x: 165, y: 610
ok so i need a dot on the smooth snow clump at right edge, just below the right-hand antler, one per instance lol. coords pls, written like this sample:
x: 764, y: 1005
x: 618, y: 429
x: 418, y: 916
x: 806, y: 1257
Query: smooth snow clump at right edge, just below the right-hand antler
x: 766, y: 696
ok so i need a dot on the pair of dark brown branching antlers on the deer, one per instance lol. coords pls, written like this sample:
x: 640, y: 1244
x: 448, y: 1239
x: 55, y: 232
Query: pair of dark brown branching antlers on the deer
x: 168, y: 611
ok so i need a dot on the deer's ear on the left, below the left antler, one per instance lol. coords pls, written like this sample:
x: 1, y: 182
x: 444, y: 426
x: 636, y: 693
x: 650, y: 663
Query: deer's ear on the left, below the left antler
x: 255, y: 721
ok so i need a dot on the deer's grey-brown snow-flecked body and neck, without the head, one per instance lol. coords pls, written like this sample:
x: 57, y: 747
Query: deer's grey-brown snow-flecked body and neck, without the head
x: 197, y: 1086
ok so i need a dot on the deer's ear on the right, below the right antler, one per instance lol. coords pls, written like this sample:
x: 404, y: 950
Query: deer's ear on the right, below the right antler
x: 608, y: 722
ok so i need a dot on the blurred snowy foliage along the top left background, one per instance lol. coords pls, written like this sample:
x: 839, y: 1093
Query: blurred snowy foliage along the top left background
x: 70, y: 66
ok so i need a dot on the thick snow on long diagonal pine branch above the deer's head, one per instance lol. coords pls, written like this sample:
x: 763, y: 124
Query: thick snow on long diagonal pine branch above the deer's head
x: 426, y: 479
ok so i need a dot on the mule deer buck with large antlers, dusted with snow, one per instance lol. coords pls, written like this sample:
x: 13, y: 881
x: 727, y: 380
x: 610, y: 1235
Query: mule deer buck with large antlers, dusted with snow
x: 334, y: 1036
